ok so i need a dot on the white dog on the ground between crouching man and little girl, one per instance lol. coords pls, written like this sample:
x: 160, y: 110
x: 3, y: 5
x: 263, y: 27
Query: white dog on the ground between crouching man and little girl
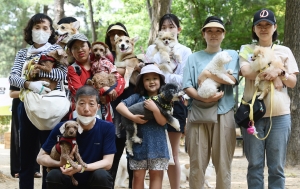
x: 122, y: 174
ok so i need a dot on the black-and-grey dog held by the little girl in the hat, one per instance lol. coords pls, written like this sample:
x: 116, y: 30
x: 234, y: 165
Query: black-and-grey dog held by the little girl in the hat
x: 163, y: 100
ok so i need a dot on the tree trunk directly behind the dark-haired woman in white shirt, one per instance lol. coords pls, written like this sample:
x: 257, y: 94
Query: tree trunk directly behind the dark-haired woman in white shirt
x: 157, y: 10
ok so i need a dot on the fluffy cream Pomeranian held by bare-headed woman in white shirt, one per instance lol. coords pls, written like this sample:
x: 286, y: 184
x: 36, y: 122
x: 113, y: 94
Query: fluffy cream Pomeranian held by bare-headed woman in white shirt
x: 164, y: 44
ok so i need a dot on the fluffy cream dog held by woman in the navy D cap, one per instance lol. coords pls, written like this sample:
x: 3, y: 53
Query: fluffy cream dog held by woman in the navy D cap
x: 264, y: 60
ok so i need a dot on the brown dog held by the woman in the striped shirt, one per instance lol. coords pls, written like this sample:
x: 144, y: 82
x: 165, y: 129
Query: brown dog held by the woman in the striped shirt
x: 45, y: 64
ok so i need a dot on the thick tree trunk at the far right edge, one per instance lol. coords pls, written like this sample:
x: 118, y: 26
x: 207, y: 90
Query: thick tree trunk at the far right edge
x: 291, y: 39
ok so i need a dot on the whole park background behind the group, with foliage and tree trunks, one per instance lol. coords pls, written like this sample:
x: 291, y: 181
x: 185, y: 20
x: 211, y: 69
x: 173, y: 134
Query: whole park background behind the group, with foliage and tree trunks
x: 141, y: 18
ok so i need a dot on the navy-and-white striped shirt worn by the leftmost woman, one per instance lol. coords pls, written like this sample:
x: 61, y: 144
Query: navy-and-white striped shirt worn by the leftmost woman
x: 57, y: 74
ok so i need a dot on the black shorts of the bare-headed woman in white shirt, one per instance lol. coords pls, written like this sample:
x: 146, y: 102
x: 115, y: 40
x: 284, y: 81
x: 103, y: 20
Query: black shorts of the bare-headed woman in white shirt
x: 180, y: 113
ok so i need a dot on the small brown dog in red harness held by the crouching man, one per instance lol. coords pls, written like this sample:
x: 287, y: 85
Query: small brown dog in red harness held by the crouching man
x: 65, y: 145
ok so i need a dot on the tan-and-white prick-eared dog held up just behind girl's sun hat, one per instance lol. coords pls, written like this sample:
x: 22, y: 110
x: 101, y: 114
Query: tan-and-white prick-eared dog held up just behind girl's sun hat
x: 125, y: 58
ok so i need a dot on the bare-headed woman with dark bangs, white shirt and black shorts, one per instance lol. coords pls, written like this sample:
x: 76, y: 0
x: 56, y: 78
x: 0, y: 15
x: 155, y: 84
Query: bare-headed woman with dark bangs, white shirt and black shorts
x: 170, y: 22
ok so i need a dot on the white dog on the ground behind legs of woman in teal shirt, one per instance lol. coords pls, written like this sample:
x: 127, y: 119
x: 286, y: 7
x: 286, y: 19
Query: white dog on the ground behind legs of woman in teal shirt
x: 185, y: 174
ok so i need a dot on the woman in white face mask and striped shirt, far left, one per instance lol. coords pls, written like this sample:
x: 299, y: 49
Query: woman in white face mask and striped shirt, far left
x: 39, y: 34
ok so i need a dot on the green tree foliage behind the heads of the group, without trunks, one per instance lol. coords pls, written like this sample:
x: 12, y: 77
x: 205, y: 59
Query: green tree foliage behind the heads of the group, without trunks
x: 236, y: 14
